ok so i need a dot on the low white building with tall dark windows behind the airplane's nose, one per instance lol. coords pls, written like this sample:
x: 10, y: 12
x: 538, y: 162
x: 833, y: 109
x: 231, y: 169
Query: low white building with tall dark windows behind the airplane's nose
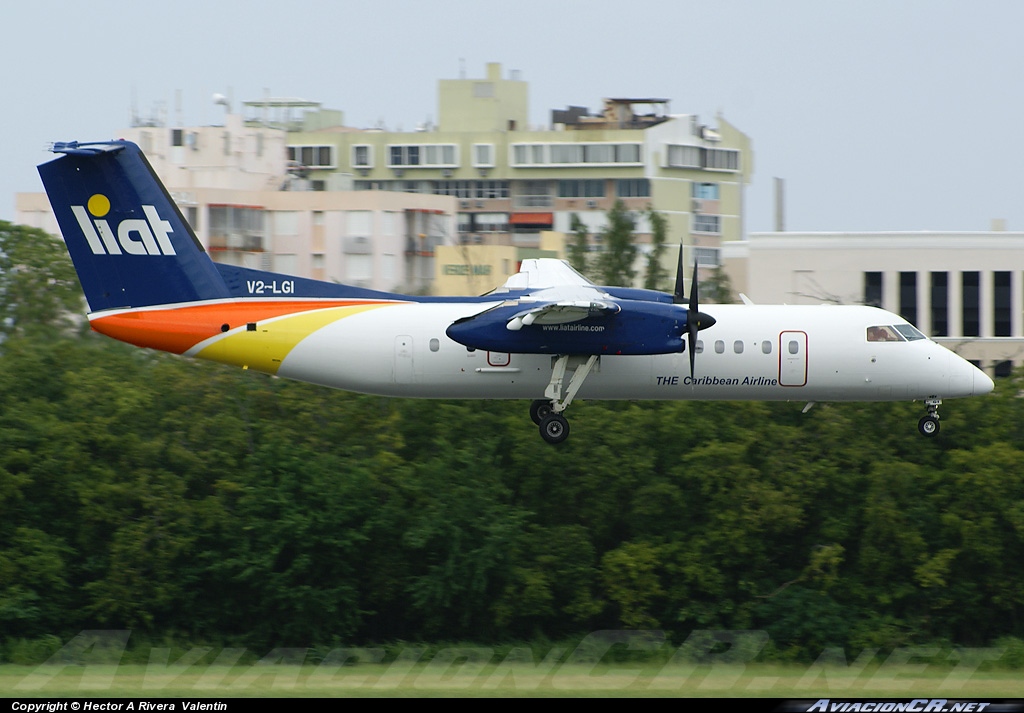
x: 966, y: 290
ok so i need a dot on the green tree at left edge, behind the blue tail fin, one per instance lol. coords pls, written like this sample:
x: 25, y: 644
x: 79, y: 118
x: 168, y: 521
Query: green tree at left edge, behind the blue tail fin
x: 38, y: 285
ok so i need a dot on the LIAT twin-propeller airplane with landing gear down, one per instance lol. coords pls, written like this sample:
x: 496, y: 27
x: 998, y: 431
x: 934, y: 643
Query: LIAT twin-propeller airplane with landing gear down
x: 548, y: 334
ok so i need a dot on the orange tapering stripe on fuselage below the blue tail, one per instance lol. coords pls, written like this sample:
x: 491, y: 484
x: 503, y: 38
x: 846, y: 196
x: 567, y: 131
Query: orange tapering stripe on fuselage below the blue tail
x: 180, y: 329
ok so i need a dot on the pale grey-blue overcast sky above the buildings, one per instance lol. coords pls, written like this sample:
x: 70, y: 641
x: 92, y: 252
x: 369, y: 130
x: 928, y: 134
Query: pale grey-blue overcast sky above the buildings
x: 881, y: 115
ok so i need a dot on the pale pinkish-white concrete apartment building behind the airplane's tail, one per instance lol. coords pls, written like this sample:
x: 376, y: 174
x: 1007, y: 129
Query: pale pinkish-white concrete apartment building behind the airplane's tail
x: 250, y: 208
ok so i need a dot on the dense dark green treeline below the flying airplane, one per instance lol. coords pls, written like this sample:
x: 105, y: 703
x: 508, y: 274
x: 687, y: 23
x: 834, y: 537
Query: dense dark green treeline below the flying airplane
x: 193, y: 504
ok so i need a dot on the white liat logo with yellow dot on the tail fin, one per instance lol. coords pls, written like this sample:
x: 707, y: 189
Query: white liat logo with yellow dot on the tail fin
x: 135, y: 237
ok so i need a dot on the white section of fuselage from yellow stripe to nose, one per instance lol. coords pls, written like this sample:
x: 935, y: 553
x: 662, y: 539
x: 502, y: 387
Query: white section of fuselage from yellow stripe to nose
x: 757, y: 353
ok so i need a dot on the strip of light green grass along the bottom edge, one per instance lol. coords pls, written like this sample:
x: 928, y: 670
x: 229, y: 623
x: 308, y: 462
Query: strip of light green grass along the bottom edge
x: 461, y: 678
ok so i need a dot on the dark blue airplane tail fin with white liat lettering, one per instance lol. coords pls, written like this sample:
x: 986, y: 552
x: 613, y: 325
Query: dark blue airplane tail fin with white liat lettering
x: 129, y: 240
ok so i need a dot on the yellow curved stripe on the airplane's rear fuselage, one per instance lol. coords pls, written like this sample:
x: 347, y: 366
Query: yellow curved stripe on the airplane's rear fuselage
x: 267, y: 348
